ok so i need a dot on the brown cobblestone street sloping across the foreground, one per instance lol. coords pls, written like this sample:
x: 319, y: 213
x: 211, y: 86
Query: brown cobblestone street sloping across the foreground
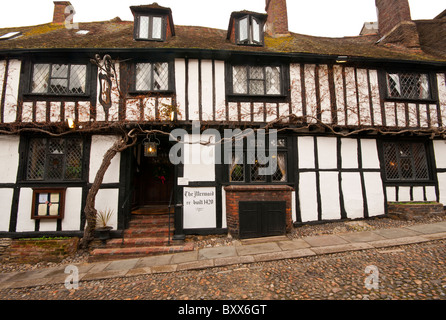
x: 415, y: 271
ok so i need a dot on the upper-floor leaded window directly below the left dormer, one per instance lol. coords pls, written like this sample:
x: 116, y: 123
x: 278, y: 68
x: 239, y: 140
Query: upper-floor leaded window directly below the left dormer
x: 152, y: 76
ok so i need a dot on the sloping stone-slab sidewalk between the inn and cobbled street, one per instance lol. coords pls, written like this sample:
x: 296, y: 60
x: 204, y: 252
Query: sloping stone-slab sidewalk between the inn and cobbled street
x: 248, y: 251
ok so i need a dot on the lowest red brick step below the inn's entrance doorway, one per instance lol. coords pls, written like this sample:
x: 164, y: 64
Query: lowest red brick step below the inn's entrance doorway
x: 104, y: 254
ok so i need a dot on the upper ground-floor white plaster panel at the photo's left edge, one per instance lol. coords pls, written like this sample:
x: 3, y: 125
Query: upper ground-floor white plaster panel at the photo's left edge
x: 9, y: 158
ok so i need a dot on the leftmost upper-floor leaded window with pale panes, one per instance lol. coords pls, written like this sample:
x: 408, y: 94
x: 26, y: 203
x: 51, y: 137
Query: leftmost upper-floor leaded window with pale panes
x: 59, y: 79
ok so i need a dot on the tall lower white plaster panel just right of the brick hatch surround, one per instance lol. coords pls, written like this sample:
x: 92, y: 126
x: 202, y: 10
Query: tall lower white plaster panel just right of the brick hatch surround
x: 307, y: 196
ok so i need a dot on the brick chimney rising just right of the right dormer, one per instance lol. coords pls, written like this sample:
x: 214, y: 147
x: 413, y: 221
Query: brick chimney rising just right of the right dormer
x: 277, y: 22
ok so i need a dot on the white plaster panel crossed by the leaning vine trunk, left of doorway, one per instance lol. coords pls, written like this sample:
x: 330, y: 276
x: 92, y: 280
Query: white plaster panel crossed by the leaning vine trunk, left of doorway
x: 99, y: 146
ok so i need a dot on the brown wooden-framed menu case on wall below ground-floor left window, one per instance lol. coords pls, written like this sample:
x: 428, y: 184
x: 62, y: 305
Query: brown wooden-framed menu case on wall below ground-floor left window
x: 48, y: 203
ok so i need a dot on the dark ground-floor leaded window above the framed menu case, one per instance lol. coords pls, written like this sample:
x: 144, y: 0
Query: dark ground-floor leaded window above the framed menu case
x: 54, y: 159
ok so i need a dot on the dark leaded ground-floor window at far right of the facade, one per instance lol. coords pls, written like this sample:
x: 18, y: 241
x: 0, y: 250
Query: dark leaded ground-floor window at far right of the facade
x: 405, y: 161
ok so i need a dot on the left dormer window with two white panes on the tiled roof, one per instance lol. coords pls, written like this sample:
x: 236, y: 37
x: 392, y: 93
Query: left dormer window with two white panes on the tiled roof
x: 152, y: 22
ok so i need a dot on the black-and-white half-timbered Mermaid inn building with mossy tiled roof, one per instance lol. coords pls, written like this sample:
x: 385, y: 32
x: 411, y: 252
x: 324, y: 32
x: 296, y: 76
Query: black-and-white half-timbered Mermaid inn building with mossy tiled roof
x: 360, y: 120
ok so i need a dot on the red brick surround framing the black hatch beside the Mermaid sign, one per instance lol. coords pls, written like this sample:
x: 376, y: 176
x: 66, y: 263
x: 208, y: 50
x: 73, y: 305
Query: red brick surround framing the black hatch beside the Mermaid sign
x: 235, y: 194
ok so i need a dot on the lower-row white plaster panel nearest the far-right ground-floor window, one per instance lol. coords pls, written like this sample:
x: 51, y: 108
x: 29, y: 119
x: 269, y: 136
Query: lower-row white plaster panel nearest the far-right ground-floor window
x: 375, y: 193
